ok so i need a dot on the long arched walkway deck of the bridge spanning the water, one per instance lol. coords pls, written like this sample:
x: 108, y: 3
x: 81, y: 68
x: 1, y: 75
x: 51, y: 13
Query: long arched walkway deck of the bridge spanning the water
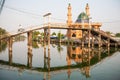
x: 62, y: 26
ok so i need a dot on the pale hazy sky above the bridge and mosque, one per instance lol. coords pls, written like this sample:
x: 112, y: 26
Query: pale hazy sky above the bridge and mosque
x: 30, y: 13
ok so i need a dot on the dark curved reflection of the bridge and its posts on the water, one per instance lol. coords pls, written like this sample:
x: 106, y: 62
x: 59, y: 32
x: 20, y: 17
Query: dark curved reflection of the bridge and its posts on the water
x: 89, y: 58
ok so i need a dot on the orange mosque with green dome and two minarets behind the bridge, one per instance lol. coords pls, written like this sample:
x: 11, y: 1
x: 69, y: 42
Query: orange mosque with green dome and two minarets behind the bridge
x: 81, y: 22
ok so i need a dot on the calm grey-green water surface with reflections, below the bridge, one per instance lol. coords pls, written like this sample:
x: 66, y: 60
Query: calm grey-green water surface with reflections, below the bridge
x: 62, y: 62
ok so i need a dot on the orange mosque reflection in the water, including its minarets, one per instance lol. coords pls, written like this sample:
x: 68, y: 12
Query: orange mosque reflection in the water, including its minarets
x: 80, y: 56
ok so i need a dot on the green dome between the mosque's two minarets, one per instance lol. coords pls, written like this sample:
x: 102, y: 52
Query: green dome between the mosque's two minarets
x: 82, y: 18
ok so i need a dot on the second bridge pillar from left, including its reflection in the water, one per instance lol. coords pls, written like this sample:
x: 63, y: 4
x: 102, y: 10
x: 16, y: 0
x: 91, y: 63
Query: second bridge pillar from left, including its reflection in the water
x: 29, y: 49
